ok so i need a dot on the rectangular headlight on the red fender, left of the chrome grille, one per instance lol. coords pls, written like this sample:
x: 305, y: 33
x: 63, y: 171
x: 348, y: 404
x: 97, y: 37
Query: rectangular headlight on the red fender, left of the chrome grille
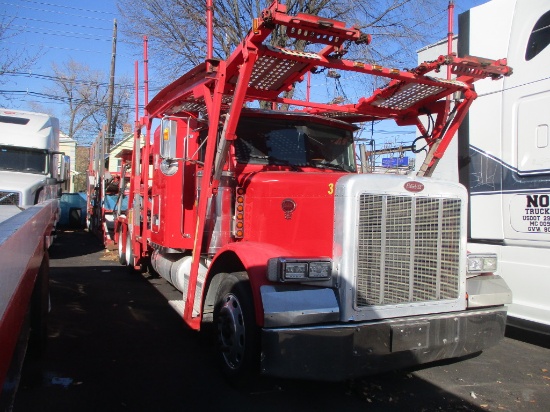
x: 299, y: 270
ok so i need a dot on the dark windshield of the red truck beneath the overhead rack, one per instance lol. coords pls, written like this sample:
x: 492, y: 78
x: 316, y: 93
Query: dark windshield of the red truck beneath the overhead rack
x: 294, y: 143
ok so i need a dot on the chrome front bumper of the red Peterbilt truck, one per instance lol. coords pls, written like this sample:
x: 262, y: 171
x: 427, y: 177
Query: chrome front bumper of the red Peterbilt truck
x: 344, y: 351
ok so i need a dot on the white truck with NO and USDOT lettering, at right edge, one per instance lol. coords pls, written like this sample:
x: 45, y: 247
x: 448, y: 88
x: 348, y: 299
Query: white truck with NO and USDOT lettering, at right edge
x: 502, y: 154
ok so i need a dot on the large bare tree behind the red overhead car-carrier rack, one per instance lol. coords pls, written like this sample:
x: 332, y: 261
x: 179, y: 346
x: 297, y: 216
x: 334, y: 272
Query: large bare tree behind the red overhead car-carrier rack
x: 177, y: 34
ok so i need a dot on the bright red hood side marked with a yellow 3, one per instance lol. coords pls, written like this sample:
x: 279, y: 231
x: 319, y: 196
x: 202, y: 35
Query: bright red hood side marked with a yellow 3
x: 291, y: 210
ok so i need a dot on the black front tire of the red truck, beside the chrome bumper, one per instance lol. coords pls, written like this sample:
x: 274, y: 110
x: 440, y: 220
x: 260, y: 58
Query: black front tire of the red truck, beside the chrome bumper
x: 238, y: 336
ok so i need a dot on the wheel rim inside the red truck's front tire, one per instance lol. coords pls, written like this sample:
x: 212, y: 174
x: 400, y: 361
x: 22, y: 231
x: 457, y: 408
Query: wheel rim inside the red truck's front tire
x: 231, y: 331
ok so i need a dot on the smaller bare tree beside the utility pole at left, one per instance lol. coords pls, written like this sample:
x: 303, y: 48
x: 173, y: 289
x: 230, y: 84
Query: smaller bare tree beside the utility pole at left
x: 84, y: 94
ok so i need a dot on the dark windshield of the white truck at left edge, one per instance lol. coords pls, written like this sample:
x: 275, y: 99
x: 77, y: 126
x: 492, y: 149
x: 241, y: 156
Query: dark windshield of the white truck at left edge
x: 19, y: 159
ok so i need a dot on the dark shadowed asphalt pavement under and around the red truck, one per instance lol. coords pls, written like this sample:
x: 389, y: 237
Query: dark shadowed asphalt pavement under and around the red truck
x: 115, y: 344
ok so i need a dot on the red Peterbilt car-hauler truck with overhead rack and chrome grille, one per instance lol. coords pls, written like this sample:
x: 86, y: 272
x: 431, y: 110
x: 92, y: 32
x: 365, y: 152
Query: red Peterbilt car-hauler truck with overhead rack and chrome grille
x: 304, y: 267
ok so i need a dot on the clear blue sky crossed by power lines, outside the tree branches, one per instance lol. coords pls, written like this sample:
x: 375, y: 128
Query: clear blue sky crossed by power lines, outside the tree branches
x: 81, y: 30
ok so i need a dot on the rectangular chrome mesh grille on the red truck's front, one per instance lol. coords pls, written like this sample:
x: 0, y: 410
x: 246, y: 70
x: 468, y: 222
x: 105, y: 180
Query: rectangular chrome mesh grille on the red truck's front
x: 408, y: 249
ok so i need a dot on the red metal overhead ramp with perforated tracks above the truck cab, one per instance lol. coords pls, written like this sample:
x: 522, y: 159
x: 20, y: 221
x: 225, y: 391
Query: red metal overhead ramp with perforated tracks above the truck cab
x: 272, y: 71
